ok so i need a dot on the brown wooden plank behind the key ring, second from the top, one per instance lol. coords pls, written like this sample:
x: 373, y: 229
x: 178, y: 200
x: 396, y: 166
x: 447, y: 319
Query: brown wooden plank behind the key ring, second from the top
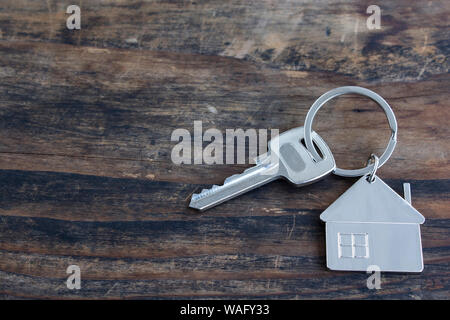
x: 126, y: 132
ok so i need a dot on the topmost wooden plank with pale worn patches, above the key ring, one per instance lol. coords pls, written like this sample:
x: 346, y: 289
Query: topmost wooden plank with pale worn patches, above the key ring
x: 294, y: 35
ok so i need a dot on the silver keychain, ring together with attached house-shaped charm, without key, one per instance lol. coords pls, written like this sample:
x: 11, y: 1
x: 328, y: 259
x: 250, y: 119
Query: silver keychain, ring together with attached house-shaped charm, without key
x: 370, y: 224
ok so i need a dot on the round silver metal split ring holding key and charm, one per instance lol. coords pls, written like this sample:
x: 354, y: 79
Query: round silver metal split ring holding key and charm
x: 345, y: 90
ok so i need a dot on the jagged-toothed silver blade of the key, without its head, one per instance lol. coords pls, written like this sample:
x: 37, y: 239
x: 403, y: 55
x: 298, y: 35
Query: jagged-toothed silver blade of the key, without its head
x: 234, y: 186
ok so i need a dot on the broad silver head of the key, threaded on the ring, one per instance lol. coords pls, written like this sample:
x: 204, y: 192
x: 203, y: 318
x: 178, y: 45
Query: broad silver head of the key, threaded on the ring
x: 296, y: 164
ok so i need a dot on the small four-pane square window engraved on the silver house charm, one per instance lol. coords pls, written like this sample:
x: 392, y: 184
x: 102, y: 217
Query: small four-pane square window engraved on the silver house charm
x: 353, y: 245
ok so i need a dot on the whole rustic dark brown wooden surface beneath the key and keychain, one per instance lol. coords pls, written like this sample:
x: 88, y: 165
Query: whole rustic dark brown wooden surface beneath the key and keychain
x: 86, y: 119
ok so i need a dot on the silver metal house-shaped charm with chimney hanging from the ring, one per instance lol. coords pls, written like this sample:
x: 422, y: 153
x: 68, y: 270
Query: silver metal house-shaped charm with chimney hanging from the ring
x: 370, y: 224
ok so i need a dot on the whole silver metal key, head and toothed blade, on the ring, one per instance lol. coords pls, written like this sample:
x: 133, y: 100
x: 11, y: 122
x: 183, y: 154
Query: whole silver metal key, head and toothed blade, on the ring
x: 286, y: 158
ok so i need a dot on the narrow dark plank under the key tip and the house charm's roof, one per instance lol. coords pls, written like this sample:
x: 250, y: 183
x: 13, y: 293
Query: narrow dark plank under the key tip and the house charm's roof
x: 73, y: 197
